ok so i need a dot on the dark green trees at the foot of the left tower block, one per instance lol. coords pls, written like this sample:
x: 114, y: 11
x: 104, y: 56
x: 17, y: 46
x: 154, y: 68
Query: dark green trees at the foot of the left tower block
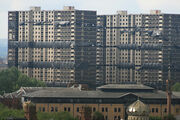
x: 12, y: 79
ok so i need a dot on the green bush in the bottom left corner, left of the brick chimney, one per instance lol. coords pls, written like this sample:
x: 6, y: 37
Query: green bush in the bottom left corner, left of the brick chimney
x: 5, y: 112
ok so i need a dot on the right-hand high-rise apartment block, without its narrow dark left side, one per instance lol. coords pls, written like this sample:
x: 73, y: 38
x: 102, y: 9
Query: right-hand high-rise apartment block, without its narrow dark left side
x: 142, y: 48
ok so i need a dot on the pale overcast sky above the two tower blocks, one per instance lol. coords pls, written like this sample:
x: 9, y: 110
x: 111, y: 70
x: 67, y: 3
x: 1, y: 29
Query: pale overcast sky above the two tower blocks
x: 102, y: 7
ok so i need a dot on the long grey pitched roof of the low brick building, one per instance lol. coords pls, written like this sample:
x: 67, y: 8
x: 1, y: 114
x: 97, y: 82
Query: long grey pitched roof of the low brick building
x: 76, y: 93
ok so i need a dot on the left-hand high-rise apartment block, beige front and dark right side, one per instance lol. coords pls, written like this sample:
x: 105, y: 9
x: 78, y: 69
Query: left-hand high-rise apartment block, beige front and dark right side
x: 53, y: 45
